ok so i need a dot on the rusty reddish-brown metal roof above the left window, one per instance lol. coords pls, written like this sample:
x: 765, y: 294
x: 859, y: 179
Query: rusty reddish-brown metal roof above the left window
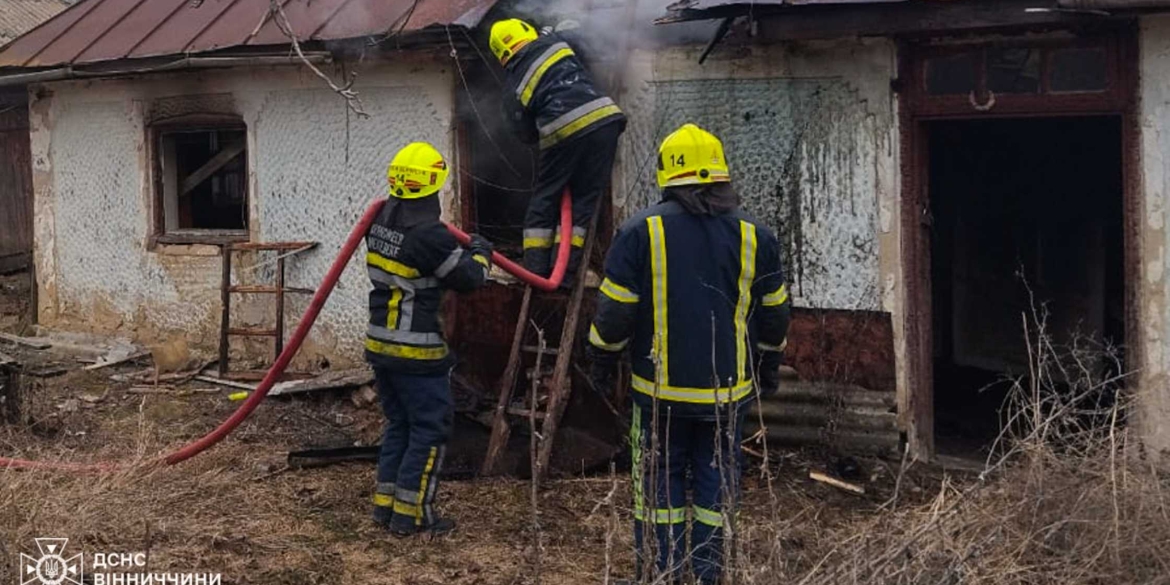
x: 97, y: 31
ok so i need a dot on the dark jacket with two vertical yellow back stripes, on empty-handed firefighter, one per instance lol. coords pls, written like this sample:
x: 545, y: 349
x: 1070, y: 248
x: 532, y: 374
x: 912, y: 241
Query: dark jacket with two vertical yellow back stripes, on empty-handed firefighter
x: 697, y: 299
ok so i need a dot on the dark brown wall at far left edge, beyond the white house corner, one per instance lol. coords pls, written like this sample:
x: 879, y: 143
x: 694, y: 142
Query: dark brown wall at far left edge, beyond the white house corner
x: 16, y: 185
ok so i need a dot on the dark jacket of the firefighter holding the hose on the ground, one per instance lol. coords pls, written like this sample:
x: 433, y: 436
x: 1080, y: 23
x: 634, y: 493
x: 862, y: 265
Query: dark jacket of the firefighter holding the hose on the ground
x: 410, y: 267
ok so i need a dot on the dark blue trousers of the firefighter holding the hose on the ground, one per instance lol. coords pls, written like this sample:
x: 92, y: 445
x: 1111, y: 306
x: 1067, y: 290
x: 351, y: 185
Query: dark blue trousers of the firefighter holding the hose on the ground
x: 419, y: 414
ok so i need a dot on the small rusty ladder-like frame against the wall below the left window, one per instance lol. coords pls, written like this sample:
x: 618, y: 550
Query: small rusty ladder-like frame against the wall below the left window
x: 284, y: 250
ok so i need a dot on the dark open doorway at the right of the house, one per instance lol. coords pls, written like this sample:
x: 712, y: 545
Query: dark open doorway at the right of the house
x: 1018, y: 204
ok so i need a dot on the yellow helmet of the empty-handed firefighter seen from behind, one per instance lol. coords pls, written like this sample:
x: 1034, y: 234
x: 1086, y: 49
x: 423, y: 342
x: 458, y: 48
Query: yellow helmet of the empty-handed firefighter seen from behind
x: 692, y: 156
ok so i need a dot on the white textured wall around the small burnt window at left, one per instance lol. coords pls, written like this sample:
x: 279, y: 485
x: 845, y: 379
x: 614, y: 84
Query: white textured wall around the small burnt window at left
x: 314, y: 170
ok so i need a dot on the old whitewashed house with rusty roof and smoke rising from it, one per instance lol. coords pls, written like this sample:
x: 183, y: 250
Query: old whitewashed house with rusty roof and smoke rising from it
x: 924, y: 161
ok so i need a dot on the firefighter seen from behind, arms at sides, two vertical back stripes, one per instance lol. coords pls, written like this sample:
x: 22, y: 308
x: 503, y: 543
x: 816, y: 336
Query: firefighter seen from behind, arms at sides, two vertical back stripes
x: 696, y: 292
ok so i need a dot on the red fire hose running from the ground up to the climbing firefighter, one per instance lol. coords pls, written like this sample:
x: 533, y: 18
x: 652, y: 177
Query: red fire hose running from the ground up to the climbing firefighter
x: 311, y: 316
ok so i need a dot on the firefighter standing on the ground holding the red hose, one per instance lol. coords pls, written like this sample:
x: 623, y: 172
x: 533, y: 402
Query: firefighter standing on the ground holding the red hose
x: 412, y: 259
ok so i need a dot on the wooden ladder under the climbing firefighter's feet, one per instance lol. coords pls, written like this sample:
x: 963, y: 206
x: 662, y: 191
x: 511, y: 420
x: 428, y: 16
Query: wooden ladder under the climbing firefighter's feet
x: 559, y: 388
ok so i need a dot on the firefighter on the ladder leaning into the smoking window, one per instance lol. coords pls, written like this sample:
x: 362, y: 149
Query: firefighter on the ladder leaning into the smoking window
x: 552, y: 100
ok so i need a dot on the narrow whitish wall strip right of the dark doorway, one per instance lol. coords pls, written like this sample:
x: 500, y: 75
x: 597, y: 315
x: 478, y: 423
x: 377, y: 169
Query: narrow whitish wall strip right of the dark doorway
x: 1153, y: 318
